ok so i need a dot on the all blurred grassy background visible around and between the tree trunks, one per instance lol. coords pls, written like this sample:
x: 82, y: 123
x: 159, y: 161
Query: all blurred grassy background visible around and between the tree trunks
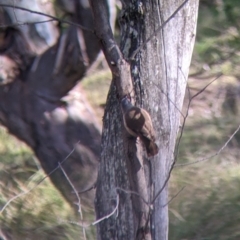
x: 209, y: 205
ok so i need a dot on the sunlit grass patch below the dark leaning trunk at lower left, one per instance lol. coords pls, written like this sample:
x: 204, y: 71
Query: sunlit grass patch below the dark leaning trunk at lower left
x: 41, y: 213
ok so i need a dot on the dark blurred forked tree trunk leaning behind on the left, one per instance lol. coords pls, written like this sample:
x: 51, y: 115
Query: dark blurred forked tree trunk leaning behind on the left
x: 37, y: 107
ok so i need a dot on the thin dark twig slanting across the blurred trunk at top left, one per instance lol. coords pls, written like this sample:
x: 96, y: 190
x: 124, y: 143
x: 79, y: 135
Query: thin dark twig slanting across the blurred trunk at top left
x: 47, y: 15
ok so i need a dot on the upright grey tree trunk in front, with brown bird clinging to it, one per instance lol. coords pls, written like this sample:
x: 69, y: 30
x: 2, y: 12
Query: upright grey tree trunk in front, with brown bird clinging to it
x: 128, y: 181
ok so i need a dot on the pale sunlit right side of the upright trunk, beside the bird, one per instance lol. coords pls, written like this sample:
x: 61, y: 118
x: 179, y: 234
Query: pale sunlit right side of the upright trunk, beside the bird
x: 165, y: 63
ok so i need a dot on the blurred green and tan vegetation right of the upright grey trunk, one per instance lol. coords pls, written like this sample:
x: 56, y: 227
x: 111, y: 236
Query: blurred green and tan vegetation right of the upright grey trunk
x: 208, y: 207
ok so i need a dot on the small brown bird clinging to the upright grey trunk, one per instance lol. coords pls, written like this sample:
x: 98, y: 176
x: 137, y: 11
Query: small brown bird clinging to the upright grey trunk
x: 138, y: 123
